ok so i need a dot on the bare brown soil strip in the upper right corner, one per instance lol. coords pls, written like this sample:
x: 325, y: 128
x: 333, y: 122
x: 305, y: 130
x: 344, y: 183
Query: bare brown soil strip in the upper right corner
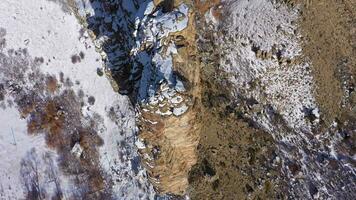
x: 329, y: 31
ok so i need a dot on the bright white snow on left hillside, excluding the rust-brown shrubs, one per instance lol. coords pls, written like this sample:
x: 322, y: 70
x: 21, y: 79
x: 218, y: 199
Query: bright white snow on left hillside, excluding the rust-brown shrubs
x: 49, y: 32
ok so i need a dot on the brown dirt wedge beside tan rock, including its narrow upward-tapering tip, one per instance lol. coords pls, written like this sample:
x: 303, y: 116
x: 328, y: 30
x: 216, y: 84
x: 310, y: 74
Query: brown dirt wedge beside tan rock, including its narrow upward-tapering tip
x: 236, y: 160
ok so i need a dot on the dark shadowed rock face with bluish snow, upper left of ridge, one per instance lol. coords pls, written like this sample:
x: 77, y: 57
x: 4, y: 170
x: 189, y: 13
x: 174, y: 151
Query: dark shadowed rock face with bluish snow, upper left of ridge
x: 133, y: 34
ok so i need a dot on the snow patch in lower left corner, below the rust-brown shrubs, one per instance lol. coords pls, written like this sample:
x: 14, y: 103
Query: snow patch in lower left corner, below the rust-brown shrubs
x: 17, y: 146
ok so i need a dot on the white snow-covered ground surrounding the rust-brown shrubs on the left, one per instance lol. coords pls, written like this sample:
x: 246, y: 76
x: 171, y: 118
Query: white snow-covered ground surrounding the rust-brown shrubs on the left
x: 58, y: 46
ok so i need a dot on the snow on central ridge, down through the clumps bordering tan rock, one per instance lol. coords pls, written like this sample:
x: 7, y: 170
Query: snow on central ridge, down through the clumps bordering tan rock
x: 155, y: 30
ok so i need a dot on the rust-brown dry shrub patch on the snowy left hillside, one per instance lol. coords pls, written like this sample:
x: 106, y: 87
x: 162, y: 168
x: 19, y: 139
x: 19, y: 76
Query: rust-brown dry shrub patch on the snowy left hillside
x: 57, y: 117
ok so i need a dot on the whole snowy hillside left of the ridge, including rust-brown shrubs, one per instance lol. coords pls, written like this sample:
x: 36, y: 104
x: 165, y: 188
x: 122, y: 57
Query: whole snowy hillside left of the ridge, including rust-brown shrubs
x: 65, y: 132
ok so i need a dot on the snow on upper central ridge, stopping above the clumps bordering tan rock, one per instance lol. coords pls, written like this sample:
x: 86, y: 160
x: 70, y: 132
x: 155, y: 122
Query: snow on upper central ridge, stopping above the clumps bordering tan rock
x: 154, y: 30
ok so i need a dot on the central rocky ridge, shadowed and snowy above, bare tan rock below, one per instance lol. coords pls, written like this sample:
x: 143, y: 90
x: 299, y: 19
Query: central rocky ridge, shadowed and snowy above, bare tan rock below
x: 150, y: 55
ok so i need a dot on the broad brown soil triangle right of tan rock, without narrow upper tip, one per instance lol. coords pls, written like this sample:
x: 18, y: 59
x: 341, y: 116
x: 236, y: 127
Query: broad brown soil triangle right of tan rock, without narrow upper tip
x: 233, y: 156
